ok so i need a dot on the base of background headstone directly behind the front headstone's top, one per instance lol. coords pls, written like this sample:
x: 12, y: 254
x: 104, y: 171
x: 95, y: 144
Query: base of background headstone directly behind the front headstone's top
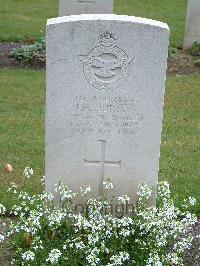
x: 77, y: 7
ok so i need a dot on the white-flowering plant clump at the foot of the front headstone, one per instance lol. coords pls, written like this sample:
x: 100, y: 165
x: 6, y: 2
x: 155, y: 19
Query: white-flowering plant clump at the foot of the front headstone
x: 48, y: 233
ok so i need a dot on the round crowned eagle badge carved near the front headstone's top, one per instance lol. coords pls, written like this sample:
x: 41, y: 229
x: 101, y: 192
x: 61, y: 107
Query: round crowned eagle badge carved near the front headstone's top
x: 106, y: 66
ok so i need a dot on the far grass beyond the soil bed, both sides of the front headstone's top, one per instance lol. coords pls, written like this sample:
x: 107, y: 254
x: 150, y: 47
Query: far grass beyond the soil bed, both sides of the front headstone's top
x: 22, y: 19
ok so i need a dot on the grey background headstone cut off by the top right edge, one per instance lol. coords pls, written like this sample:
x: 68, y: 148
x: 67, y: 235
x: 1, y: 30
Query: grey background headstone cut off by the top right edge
x: 192, y: 27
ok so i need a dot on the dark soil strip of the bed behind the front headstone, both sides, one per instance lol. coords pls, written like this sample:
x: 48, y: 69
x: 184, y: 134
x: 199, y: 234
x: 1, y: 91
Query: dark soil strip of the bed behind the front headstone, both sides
x: 181, y: 64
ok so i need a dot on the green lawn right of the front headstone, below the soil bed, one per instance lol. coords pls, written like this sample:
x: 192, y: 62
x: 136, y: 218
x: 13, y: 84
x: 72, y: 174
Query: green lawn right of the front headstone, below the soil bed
x: 180, y: 147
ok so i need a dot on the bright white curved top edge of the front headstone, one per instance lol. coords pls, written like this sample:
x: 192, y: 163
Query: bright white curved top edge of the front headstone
x: 107, y: 17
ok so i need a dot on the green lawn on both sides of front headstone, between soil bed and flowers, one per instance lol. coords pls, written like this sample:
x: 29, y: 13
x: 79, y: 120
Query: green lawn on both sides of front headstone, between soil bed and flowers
x: 22, y: 132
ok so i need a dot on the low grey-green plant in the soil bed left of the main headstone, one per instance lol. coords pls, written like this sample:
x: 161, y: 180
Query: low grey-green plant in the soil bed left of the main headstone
x: 30, y: 53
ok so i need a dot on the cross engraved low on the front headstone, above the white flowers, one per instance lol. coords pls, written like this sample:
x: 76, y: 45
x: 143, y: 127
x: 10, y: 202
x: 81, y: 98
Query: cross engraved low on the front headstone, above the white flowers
x: 102, y: 164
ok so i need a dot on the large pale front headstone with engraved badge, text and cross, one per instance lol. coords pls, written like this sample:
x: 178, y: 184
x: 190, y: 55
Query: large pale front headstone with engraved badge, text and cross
x: 104, y: 105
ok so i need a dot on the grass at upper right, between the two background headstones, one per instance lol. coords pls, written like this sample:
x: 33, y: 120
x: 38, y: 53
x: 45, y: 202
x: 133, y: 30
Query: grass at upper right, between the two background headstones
x: 170, y: 11
